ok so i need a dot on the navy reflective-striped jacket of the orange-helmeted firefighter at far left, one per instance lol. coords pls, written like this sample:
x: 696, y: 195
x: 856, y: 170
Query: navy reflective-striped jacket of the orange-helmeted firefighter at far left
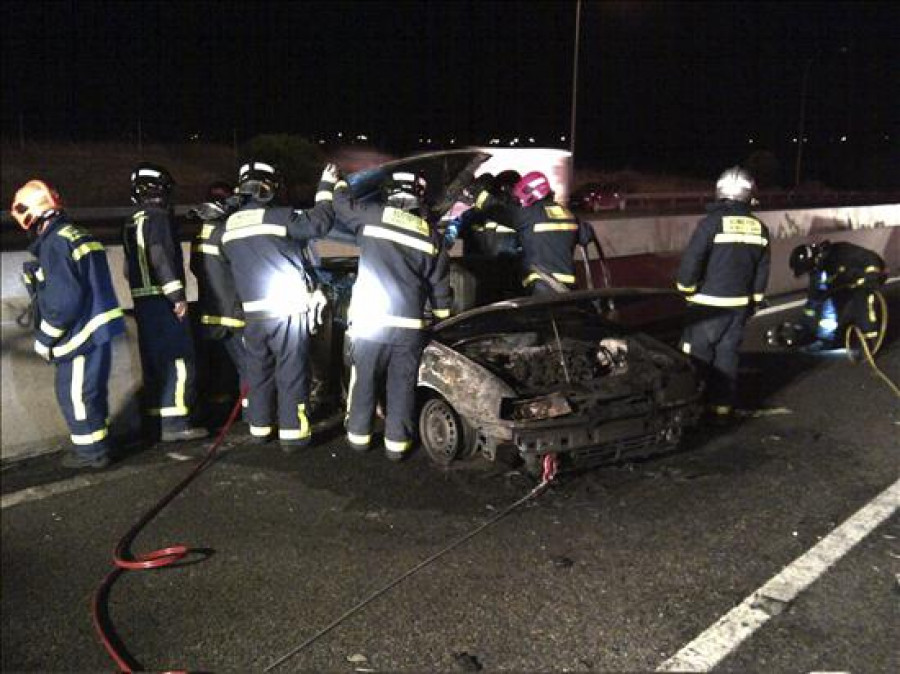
x: 75, y: 297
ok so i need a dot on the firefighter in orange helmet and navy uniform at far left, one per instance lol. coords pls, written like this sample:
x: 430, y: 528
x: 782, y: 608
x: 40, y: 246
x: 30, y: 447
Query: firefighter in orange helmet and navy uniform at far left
x: 76, y: 317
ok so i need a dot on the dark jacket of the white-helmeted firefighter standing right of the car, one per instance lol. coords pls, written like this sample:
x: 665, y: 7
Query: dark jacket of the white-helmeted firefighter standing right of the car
x: 726, y: 262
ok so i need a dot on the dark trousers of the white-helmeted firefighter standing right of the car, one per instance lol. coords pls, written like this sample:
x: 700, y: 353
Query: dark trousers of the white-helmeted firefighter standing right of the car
x: 713, y: 336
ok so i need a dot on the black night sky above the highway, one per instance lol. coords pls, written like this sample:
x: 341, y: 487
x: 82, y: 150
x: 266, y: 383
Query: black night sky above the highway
x: 660, y: 84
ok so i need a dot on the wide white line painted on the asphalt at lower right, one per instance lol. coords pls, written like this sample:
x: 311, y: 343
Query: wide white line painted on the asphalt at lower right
x: 726, y: 634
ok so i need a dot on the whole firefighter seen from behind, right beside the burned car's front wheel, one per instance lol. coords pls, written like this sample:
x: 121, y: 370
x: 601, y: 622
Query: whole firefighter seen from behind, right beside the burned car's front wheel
x: 401, y: 266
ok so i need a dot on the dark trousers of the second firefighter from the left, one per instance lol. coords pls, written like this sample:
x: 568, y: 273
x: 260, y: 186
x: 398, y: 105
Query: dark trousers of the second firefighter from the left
x: 167, y: 359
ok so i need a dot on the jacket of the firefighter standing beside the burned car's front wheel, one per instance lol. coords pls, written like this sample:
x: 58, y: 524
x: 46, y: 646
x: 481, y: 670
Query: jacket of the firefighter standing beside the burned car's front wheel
x: 401, y: 266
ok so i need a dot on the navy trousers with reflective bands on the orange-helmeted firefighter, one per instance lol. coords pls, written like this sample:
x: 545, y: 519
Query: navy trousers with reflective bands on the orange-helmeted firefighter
x: 82, y: 386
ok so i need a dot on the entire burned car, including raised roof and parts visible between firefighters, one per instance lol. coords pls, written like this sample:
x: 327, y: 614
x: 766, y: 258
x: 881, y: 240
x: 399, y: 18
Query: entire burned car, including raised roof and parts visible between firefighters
x: 576, y: 376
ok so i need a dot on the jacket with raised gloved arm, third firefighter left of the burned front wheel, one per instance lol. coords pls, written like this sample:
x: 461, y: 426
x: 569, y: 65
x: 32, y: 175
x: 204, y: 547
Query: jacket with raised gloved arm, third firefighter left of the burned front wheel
x: 264, y: 245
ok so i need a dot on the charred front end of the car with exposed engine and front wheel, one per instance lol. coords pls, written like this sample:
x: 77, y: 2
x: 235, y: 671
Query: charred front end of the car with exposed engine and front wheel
x: 554, y: 376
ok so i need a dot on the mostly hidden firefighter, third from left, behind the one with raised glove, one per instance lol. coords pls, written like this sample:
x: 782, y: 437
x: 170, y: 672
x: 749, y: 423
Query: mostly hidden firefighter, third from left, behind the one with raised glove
x: 221, y: 318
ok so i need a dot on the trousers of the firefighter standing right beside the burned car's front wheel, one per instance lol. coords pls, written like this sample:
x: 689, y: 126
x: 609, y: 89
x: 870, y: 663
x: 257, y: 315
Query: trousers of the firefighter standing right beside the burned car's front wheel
x: 397, y: 367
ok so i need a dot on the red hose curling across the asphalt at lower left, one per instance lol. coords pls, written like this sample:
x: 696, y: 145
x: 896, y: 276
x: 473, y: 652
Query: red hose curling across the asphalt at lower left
x: 124, y: 560
